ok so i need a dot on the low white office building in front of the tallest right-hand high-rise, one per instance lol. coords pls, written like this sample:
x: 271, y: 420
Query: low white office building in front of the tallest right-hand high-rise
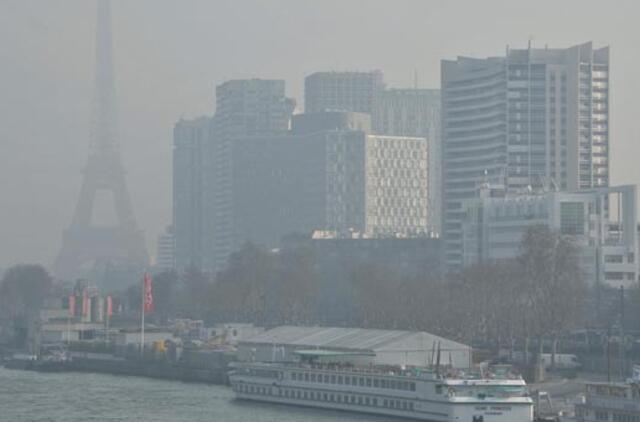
x: 602, y: 221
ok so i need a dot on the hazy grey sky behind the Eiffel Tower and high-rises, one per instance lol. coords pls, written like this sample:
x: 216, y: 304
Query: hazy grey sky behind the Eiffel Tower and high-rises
x: 171, y: 53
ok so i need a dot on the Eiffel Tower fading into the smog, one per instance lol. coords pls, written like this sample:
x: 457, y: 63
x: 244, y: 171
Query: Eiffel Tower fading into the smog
x: 85, y: 243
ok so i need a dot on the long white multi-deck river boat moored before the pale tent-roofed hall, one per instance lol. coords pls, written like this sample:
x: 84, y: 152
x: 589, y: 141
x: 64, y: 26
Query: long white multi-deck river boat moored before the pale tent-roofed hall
x: 427, y: 394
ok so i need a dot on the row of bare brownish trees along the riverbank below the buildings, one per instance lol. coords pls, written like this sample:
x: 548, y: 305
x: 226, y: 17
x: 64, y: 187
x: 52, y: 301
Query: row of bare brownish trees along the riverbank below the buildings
x: 498, y: 304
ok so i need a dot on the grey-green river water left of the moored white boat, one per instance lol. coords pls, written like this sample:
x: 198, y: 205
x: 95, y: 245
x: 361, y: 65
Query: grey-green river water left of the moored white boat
x: 27, y: 396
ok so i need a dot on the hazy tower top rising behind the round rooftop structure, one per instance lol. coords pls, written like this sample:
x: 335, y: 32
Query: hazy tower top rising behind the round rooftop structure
x: 342, y: 91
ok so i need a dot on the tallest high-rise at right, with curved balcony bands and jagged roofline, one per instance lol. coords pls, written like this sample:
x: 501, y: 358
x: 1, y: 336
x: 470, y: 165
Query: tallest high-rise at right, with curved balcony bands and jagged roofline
x: 533, y: 119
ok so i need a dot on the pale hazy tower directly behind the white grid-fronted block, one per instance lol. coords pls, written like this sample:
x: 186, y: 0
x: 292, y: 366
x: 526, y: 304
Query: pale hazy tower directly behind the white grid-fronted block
x: 414, y: 112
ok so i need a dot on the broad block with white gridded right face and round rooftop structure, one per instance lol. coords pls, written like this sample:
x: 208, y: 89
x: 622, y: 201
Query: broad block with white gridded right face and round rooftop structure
x: 341, y: 180
